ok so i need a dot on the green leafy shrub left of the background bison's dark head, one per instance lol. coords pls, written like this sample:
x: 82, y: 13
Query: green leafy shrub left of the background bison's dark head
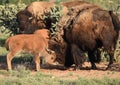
x: 8, y: 18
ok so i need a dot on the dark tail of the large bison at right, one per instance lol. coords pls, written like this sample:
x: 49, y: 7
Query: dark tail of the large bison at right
x: 115, y: 21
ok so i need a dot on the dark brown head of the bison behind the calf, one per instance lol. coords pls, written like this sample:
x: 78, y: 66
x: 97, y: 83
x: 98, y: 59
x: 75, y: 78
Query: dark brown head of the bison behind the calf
x: 27, y: 23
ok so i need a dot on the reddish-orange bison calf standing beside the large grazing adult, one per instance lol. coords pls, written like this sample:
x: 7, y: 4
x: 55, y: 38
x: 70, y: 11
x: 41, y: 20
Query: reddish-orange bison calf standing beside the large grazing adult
x: 36, y: 43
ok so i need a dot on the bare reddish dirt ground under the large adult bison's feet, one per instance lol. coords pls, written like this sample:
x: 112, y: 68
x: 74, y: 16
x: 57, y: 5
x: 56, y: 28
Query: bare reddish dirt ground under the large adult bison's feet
x: 86, y: 72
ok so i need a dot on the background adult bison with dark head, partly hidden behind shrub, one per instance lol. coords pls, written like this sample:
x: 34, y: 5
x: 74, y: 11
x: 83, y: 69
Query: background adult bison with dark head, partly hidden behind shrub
x: 31, y: 18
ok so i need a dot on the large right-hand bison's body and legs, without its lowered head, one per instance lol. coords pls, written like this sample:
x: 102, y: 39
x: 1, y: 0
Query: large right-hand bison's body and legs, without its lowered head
x: 88, y: 28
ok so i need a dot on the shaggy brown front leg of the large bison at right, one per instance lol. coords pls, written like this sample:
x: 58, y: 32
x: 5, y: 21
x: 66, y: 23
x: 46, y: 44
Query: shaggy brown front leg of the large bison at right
x: 78, y: 56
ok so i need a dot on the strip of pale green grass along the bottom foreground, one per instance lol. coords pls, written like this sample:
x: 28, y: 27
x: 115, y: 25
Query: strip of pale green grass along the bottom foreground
x: 21, y: 76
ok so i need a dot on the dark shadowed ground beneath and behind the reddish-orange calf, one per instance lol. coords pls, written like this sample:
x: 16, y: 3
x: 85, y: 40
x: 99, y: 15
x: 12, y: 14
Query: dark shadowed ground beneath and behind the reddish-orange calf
x: 21, y: 61
